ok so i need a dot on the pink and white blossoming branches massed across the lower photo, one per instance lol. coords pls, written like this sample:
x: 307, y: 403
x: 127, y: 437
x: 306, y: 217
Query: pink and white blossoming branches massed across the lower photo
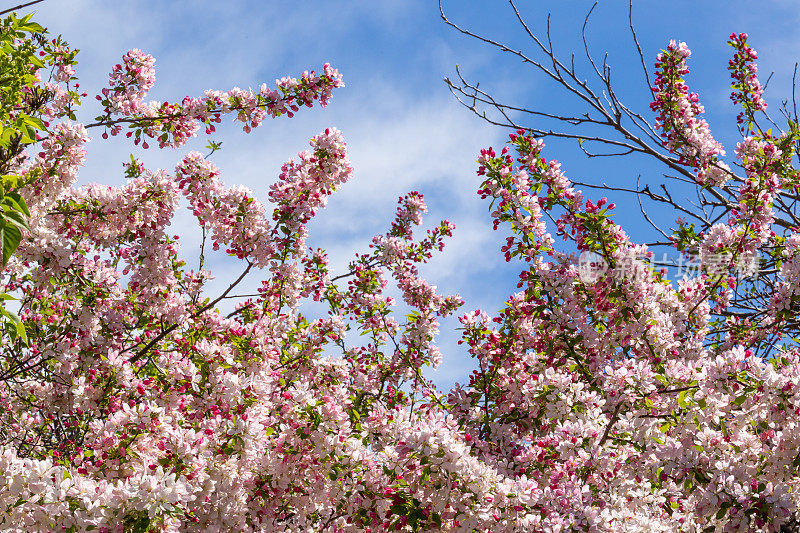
x: 129, y: 402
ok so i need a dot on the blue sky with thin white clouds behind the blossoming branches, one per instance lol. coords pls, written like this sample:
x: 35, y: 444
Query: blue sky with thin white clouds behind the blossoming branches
x: 404, y: 129
